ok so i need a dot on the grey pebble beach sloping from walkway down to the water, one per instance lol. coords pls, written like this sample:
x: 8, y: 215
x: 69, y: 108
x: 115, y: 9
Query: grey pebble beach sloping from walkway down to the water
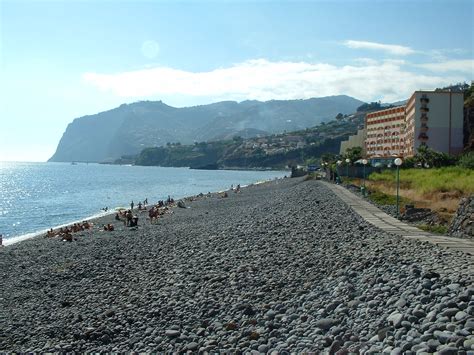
x: 280, y: 267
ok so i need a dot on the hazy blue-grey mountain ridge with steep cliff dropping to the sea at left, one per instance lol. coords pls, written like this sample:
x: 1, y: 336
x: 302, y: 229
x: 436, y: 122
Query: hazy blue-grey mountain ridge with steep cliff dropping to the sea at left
x: 129, y: 128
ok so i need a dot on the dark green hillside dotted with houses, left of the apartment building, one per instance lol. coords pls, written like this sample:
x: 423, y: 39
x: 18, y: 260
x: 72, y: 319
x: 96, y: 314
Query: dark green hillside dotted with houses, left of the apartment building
x: 275, y: 151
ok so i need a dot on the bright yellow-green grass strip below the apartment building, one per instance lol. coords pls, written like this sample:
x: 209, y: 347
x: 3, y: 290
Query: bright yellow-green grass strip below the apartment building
x: 429, y: 181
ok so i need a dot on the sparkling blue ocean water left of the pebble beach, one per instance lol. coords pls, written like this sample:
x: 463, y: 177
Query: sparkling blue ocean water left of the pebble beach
x: 37, y: 196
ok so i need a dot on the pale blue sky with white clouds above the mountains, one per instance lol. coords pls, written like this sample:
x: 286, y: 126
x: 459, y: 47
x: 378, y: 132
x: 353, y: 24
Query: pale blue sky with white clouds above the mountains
x: 60, y: 60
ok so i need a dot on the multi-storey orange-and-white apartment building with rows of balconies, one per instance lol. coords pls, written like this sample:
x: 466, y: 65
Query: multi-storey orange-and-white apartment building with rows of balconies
x: 430, y: 118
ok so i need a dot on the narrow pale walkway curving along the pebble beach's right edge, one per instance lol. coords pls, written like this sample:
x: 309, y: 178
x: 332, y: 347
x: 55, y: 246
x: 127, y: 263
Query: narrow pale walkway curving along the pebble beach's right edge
x: 390, y: 224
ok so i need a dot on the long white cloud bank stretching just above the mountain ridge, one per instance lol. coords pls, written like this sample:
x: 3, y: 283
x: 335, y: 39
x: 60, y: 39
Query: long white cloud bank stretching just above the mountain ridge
x: 261, y: 79
